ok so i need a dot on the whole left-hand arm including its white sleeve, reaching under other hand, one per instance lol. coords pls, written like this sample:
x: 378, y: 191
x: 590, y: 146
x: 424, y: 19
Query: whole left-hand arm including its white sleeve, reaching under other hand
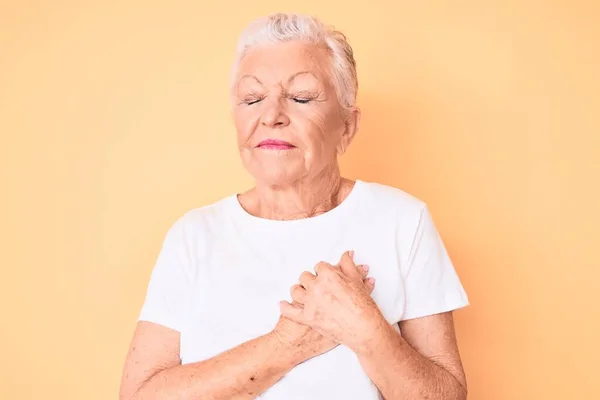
x: 153, y: 368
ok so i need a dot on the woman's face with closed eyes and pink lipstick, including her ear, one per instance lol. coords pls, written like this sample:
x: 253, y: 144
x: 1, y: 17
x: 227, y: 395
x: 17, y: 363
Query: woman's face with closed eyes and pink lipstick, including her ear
x: 289, y: 122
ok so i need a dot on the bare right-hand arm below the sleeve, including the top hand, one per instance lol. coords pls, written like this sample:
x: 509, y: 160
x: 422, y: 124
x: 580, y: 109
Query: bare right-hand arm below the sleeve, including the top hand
x: 423, y: 365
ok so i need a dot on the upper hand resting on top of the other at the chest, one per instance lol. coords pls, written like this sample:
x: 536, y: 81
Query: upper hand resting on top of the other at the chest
x: 336, y: 303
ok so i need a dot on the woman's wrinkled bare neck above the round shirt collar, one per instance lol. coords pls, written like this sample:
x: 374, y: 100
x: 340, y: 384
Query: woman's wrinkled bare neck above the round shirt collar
x: 300, y: 199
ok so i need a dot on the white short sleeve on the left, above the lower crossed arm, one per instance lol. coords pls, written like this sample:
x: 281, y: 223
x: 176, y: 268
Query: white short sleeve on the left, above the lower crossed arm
x: 168, y: 295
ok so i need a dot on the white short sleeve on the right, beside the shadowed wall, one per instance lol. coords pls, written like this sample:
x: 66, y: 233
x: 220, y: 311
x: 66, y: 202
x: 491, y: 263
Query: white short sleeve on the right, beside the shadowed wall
x: 431, y: 283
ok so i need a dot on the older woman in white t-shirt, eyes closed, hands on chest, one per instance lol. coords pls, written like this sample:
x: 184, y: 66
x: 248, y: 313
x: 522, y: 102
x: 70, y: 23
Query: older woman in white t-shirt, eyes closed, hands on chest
x: 310, y: 285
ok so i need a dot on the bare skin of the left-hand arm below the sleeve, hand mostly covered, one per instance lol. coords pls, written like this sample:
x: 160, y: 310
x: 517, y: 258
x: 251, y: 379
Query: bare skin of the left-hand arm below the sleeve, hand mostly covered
x: 155, y: 372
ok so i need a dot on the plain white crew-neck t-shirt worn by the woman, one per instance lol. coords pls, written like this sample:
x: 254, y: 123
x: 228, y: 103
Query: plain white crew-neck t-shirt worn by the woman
x: 221, y: 273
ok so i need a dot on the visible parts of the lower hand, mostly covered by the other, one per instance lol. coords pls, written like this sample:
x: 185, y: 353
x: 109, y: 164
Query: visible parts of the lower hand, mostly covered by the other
x: 303, y: 339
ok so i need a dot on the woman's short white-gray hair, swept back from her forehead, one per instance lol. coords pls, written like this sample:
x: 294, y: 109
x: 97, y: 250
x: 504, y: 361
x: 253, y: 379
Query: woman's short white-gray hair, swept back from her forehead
x: 281, y: 27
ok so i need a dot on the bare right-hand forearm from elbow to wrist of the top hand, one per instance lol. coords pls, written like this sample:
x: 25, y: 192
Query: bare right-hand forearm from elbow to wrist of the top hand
x: 400, y: 372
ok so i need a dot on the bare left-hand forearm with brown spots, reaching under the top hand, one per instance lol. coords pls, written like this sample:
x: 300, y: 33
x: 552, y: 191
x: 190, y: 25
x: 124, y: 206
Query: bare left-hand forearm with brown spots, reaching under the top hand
x: 241, y: 373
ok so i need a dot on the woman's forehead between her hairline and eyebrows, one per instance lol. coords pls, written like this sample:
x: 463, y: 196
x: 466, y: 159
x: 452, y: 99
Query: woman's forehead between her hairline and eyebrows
x: 275, y: 63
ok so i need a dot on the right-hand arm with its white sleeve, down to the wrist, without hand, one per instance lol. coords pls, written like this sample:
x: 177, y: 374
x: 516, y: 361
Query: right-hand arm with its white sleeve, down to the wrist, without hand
x: 424, y: 361
